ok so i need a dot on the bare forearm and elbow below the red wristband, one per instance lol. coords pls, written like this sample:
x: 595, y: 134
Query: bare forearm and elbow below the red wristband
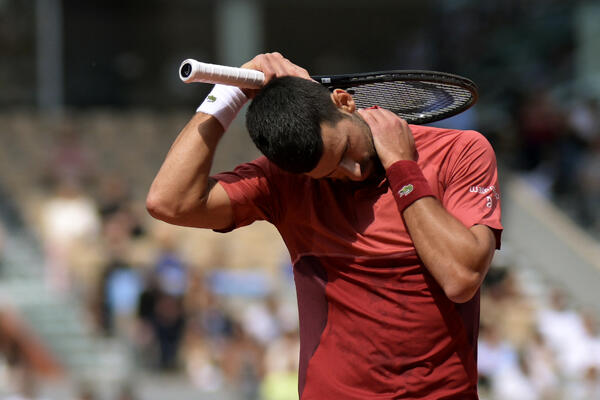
x: 458, y: 257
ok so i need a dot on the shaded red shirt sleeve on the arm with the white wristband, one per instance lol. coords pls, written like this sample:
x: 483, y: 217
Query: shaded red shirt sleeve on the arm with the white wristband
x: 250, y: 188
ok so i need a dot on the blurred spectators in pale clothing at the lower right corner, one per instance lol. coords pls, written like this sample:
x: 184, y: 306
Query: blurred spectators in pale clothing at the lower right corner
x: 535, y: 346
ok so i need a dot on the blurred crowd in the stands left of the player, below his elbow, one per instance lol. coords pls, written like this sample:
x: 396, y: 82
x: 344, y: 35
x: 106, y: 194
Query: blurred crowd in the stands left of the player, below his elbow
x: 177, y: 297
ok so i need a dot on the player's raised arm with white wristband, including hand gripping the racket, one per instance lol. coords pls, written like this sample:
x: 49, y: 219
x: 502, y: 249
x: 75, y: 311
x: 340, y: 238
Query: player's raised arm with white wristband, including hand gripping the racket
x: 182, y: 192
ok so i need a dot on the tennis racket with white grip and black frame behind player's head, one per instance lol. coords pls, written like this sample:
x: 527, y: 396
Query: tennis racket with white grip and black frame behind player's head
x: 419, y: 97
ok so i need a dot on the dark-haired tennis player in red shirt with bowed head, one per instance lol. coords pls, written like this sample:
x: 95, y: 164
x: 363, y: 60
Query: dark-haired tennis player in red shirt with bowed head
x: 391, y: 229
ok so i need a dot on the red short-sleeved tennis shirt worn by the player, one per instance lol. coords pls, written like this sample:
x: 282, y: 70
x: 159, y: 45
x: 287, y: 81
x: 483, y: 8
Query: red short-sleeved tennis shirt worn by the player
x: 374, y: 324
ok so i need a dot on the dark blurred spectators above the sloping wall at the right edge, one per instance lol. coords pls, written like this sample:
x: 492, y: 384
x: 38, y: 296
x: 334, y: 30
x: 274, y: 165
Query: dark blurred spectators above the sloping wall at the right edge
x: 558, y: 151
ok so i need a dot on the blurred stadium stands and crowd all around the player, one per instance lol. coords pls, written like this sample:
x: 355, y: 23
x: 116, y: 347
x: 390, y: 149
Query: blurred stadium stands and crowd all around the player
x: 99, y: 301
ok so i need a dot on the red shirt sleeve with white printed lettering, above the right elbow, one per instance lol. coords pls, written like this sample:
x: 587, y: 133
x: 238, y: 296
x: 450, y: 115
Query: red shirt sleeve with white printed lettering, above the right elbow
x: 472, y: 193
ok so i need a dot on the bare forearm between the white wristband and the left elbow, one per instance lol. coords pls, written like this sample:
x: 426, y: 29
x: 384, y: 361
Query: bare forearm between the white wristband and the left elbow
x: 182, y: 181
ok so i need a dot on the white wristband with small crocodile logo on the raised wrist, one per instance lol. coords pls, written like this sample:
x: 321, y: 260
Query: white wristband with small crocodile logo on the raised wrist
x: 223, y: 102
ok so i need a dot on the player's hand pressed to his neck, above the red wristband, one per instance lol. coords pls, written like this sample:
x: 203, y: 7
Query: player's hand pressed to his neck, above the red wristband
x: 392, y: 137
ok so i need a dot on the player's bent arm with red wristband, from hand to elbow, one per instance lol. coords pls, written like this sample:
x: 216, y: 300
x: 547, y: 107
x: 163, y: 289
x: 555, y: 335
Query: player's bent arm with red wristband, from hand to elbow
x: 457, y: 256
